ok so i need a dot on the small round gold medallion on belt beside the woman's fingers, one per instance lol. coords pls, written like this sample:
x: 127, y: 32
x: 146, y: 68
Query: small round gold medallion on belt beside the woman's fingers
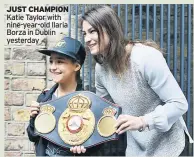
x: 106, y: 123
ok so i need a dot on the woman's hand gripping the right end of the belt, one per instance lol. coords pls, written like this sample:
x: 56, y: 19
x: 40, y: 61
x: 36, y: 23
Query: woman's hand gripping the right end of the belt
x: 127, y: 122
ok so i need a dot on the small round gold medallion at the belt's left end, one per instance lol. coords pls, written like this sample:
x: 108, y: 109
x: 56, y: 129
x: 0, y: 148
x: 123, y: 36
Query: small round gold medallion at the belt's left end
x: 45, y: 122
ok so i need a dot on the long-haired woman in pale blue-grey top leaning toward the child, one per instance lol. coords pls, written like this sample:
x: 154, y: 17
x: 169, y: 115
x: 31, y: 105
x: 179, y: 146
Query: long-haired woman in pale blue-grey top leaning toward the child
x: 136, y: 76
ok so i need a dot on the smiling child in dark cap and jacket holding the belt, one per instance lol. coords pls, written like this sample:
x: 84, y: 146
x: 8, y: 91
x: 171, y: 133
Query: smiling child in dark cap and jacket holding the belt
x: 66, y: 59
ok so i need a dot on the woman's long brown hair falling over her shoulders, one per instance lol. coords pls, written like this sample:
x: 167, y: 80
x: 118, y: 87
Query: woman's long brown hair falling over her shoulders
x: 104, y: 18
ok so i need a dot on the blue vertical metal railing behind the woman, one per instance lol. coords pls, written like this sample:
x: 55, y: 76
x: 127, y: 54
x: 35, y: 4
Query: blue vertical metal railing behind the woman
x: 169, y: 25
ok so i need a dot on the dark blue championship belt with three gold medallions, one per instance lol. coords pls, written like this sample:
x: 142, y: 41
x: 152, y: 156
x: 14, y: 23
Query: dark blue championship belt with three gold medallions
x: 79, y: 118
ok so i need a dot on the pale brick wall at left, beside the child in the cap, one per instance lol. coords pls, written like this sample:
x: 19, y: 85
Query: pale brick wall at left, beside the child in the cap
x: 25, y: 76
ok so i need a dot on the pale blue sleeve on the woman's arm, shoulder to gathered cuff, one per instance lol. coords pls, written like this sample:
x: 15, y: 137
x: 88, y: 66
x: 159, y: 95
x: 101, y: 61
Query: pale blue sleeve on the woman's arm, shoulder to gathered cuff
x: 155, y: 70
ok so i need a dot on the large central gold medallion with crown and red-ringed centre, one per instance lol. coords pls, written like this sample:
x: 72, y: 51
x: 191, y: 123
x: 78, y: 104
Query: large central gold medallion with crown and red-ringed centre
x: 76, y: 123
